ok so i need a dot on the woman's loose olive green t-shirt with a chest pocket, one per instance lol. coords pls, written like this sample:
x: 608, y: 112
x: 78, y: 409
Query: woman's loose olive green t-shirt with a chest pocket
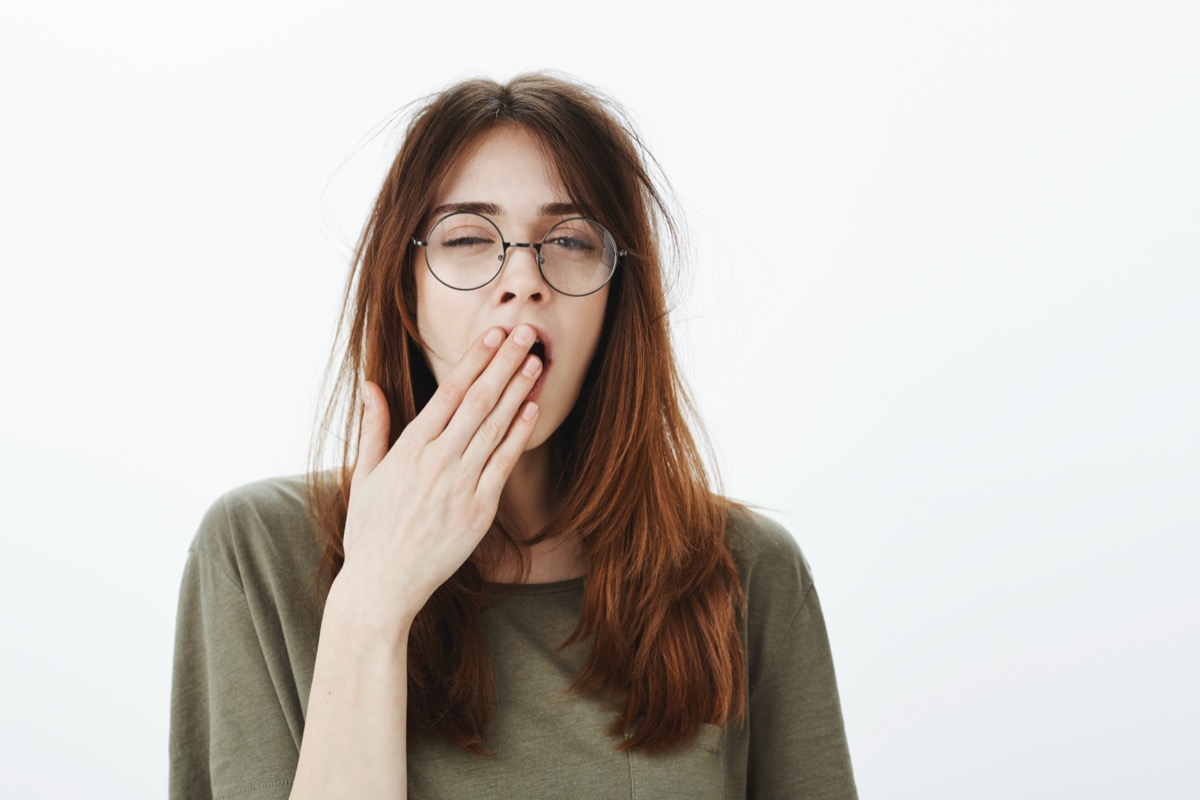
x: 247, y: 645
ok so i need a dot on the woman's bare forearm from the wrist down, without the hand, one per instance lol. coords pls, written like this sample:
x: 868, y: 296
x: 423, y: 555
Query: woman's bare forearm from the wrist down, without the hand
x: 355, y: 739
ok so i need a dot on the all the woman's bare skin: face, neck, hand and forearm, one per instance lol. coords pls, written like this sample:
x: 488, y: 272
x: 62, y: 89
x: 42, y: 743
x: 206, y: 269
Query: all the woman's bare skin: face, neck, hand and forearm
x: 418, y: 510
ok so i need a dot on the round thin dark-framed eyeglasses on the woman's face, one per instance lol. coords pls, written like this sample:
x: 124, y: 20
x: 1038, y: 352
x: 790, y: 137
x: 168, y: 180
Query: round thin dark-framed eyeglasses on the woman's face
x: 466, y: 251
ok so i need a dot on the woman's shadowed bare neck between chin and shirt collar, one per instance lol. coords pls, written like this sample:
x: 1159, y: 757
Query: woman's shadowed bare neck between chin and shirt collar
x: 529, y: 496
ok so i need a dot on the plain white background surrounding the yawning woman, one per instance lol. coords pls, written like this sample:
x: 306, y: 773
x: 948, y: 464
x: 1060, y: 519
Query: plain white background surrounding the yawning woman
x: 941, y: 321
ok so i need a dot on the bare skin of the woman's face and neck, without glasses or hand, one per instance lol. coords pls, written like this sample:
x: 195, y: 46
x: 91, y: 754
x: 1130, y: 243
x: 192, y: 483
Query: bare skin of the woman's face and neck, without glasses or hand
x: 509, y: 171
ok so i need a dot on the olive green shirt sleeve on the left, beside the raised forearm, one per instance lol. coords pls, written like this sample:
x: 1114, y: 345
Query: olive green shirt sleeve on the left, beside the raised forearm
x: 229, y: 733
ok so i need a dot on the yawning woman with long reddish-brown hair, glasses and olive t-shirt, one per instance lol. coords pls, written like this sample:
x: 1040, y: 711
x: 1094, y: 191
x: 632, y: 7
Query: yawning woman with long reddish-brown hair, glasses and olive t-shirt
x: 520, y: 585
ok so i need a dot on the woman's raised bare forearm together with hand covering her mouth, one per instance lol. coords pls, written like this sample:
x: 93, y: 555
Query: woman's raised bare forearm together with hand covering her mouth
x: 418, y: 510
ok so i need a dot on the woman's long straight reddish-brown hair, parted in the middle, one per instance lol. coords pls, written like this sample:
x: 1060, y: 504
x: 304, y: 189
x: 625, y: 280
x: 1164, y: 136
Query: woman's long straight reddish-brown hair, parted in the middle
x: 662, y: 597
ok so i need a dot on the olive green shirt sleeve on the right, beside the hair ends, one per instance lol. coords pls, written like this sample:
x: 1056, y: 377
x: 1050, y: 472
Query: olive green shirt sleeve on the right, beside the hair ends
x: 799, y: 748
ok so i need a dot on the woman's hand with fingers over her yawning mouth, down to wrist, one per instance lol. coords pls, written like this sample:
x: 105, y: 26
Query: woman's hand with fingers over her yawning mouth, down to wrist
x: 418, y: 512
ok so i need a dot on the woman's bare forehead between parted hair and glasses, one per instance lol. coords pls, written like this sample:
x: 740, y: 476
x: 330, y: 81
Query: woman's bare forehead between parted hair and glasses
x: 507, y: 167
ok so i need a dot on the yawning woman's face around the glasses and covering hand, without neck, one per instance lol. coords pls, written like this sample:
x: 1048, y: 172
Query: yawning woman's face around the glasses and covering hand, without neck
x: 519, y: 189
